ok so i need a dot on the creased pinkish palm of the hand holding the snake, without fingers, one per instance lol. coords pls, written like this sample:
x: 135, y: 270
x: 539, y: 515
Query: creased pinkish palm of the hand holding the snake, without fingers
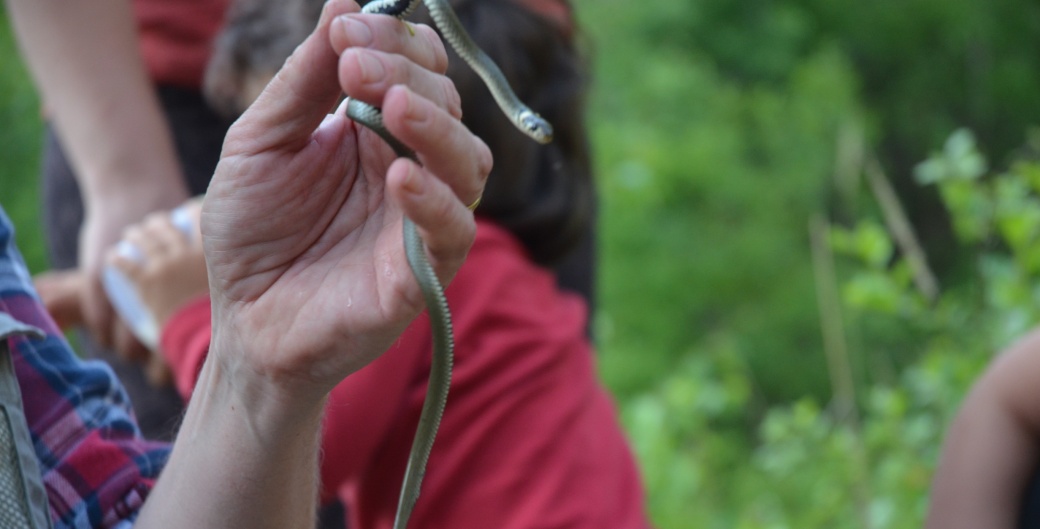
x: 314, y: 254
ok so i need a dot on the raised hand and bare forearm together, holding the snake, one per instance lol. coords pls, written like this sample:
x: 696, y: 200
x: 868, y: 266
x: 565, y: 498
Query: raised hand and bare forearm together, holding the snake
x: 302, y: 230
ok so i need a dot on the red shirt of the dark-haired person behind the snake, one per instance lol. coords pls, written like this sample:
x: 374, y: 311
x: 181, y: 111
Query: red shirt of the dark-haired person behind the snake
x: 530, y: 439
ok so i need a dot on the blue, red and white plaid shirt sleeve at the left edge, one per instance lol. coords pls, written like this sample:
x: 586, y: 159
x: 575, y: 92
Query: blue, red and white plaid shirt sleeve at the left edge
x: 96, y: 467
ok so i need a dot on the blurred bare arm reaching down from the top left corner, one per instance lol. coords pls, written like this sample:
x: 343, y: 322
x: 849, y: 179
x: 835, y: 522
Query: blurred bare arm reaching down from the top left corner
x: 86, y: 62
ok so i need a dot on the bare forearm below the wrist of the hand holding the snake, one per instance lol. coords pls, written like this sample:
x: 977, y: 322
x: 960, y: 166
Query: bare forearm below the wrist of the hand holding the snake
x: 243, y: 459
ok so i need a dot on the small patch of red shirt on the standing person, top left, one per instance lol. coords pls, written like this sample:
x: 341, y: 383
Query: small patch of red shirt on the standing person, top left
x: 176, y: 38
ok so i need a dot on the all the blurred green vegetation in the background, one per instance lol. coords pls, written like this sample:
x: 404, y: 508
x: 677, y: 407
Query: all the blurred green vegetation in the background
x: 743, y: 151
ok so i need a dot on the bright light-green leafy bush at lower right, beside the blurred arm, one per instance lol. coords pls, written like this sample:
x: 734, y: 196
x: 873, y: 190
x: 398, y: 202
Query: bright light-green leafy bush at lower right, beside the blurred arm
x: 805, y: 465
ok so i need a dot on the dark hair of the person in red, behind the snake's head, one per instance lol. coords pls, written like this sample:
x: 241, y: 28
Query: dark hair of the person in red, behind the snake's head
x: 543, y: 195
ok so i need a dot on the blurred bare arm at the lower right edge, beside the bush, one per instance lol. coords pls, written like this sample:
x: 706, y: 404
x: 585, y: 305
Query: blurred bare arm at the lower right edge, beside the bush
x: 993, y: 447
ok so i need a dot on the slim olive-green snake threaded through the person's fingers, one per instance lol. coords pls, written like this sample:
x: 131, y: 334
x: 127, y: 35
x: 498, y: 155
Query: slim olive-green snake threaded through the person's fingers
x: 433, y: 294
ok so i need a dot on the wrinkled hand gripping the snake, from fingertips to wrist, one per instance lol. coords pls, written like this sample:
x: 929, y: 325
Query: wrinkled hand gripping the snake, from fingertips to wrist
x: 302, y: 225
